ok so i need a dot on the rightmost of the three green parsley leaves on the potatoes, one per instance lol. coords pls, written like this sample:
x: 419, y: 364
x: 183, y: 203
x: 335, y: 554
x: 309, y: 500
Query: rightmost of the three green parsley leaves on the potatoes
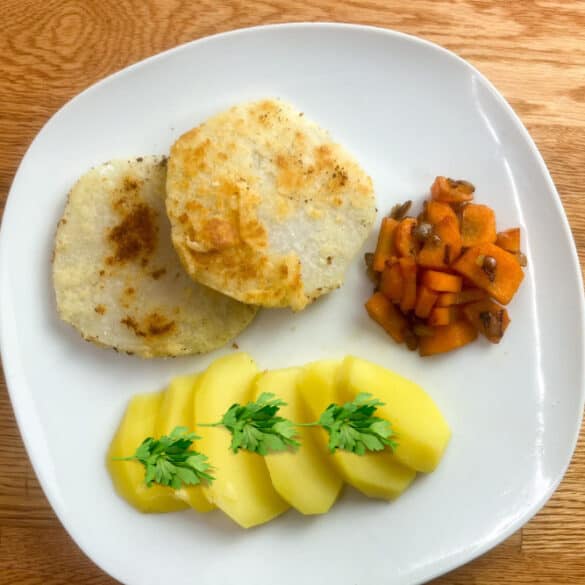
x: 353, y: 427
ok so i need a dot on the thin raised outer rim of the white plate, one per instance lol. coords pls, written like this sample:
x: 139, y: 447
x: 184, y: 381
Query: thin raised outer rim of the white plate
x: 19, y: 401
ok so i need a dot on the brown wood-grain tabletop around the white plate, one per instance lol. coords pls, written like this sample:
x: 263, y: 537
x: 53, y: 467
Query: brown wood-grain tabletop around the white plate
x: 533, y: 51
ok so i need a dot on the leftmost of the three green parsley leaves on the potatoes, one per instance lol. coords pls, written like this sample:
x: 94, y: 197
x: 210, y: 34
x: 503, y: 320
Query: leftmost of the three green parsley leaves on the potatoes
x: 169, y: 461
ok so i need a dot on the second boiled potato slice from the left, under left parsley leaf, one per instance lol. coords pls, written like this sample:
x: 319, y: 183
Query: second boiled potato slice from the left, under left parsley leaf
x: 176, y: 410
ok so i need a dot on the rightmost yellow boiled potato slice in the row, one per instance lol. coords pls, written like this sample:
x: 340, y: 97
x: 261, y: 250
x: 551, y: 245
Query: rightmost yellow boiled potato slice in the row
x: 422, y: 431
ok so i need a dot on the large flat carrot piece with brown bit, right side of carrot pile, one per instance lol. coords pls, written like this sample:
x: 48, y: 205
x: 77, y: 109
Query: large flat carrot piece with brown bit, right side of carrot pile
x: 502, y: 282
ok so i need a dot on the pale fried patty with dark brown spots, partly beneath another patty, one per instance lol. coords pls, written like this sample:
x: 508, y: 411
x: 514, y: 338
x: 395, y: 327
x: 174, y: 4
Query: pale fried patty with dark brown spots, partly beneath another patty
x: 118, y: 279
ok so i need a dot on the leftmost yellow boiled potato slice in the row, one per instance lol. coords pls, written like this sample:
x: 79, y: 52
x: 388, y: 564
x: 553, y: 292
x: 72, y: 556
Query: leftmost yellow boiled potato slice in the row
x: 128, y: 476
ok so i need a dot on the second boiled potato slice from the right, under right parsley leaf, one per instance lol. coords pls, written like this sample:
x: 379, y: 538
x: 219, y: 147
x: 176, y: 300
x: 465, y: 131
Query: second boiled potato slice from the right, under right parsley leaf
x: 377, y: 475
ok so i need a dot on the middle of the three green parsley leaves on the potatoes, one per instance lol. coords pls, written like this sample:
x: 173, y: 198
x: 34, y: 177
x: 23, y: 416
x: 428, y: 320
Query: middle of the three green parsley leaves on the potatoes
x: 255, y: 427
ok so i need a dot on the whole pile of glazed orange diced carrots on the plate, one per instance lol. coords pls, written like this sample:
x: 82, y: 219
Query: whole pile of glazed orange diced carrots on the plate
x: 441, y: 278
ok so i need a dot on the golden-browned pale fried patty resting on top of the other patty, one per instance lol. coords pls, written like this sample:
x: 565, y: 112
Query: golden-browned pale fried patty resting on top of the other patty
x: 264, y: 207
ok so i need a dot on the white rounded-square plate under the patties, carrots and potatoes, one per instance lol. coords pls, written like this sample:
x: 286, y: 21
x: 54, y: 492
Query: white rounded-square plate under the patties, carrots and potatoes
x: 409, y: 110
